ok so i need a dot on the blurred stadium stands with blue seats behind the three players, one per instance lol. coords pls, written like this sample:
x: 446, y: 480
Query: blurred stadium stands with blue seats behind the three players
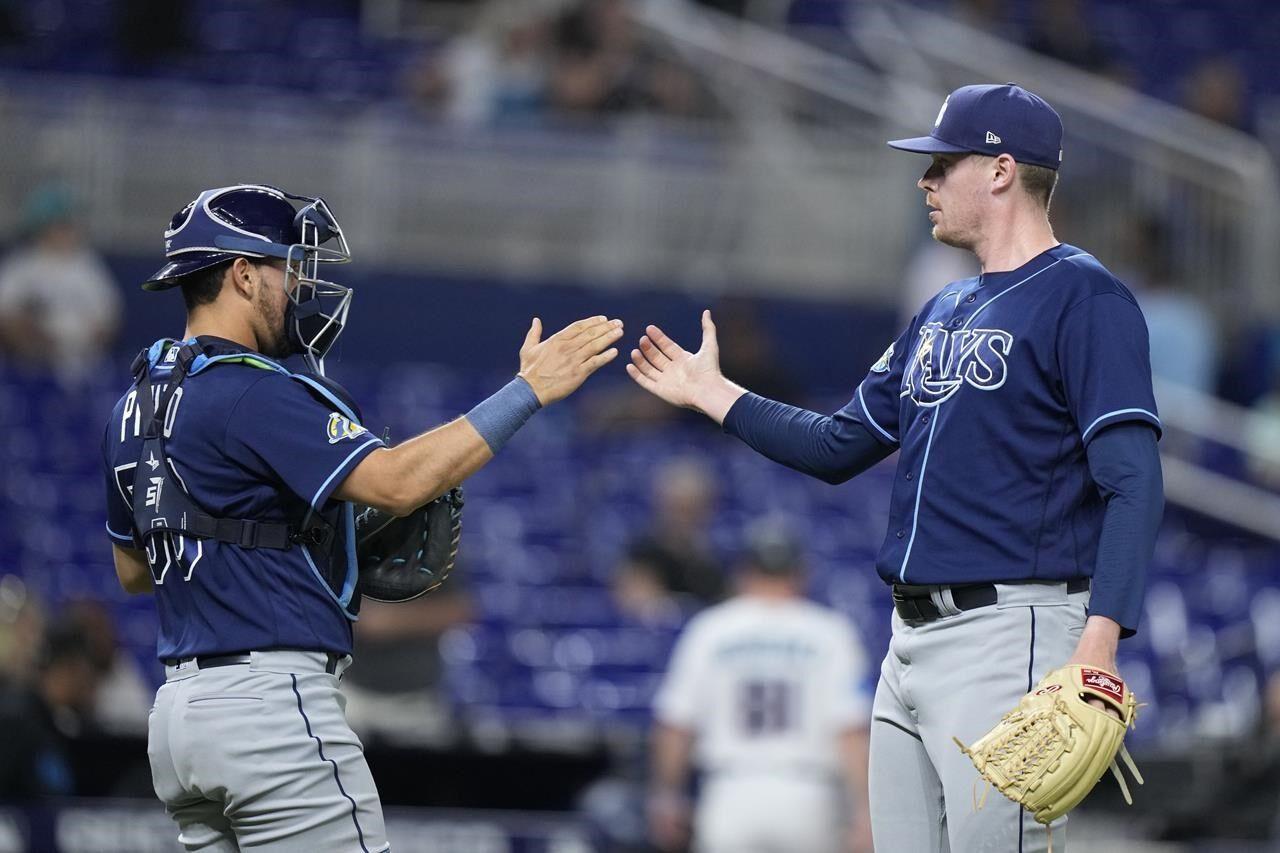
x: 644, y: 159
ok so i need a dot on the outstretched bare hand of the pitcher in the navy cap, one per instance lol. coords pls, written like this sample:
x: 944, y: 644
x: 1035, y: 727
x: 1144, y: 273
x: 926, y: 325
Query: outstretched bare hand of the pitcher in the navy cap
x: 683, y: 378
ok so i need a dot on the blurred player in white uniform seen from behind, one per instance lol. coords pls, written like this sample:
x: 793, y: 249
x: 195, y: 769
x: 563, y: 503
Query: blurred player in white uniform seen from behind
x: 767, y: 691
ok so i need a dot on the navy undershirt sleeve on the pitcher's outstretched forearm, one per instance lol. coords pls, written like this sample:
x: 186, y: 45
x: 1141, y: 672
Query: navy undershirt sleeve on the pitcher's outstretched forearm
x: 830, y: 448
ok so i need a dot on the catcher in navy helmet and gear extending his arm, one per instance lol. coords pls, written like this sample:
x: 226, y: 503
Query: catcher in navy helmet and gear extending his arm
x: 249, y: 745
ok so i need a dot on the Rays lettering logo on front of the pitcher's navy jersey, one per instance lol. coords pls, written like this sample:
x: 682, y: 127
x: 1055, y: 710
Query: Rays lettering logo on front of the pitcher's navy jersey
x: 944, y: 361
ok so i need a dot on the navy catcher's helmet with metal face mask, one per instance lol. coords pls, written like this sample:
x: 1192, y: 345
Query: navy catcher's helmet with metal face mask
x: 258, y: 221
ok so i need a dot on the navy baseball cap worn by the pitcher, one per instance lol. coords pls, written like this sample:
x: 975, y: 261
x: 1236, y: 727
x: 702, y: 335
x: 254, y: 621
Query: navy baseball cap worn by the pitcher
x: 994, y: 120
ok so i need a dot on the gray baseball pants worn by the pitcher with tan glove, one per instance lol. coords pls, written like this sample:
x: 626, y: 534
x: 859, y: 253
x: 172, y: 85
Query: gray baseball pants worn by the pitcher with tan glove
x: 957, y: 677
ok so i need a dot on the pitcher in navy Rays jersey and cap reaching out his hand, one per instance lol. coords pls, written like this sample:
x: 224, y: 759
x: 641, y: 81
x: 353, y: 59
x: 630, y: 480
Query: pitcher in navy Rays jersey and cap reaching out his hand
x: 1022, y: 403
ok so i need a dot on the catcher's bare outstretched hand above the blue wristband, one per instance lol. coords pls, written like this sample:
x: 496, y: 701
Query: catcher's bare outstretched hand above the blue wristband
x: 555, y: 368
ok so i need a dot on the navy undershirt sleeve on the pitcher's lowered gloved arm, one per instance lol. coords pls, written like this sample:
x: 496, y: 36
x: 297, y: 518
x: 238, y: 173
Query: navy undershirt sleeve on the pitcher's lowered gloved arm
x: 1126, y: 466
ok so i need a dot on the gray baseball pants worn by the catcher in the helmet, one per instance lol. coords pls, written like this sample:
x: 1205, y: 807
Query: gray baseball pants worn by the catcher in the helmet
x: 259, y: 758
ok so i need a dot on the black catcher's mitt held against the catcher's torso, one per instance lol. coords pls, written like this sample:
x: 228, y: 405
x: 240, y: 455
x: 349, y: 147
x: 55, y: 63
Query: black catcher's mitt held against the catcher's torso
x: 403, y: 559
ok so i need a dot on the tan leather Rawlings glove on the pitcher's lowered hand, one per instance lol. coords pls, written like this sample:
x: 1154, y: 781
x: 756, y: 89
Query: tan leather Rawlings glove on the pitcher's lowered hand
x: 1050, y: 751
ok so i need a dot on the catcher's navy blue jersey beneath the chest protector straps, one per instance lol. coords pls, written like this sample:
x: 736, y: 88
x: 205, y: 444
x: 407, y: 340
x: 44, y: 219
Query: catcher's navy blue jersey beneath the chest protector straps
x: 249, y: 441
